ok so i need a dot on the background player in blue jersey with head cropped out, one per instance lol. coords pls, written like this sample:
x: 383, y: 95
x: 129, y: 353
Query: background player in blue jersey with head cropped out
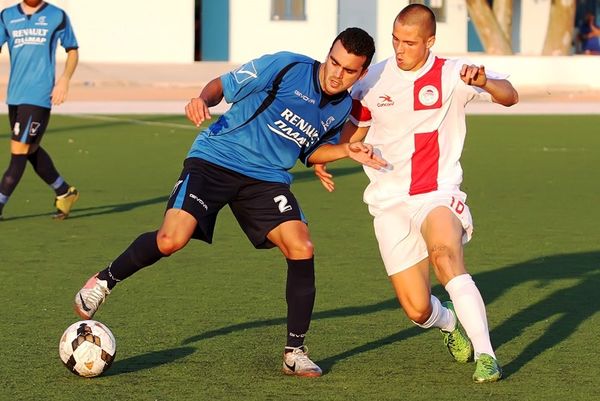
x: 32, y: 30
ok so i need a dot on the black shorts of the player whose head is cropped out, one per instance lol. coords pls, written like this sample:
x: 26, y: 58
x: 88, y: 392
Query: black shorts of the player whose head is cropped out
x: 28, y: 122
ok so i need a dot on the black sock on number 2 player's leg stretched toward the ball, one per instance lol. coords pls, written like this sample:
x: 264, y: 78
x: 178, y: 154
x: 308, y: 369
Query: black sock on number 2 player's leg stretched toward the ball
x: 141, y: 253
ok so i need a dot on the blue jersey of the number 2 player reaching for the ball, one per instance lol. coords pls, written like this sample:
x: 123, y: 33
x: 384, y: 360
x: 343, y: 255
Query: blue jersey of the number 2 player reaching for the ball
x: 278, y: 115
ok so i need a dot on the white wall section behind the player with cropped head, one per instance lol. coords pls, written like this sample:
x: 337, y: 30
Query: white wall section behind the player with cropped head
x: 139, y: 31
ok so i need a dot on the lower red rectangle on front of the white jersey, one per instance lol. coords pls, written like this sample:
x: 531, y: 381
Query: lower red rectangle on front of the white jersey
x: 424, y: 163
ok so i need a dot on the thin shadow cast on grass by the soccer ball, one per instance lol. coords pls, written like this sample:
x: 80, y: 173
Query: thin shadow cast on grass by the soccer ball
x: 148, y: 360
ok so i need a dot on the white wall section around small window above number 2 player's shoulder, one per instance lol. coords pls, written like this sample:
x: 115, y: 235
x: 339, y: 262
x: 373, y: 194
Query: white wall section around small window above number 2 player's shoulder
x: 252, y: 33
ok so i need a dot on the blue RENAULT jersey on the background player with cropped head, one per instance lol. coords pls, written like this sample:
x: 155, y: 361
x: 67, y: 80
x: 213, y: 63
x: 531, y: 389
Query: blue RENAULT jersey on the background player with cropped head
x: 32, y: 41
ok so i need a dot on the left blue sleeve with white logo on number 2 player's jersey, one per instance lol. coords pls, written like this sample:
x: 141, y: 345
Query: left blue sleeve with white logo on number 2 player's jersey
x: 252, y: 77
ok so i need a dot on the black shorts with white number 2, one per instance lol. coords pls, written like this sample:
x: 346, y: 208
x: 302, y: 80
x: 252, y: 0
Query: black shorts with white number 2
x: 259, y: 206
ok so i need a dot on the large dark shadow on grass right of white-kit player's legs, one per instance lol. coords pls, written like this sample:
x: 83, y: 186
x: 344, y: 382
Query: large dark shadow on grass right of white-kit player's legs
x: 571, y: 305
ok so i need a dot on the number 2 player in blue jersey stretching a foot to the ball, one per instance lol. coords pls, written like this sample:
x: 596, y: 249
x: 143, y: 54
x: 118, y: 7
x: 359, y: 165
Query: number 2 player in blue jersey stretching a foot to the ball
x: 285, y: 107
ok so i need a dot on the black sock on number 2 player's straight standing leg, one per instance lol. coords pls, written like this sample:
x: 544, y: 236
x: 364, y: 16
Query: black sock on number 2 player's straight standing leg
x: 300, y: 296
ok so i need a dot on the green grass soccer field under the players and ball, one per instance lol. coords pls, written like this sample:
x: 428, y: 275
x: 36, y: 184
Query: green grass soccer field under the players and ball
x: 209, y: 322
